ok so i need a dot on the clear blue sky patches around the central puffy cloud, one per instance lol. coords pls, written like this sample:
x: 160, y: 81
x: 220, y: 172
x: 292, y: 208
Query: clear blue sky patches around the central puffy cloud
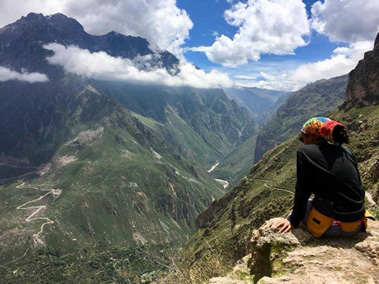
x: 208, y: 18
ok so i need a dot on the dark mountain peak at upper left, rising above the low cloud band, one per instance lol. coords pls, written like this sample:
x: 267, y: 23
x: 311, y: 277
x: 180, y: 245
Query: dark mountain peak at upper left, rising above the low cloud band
x: 23, y: 40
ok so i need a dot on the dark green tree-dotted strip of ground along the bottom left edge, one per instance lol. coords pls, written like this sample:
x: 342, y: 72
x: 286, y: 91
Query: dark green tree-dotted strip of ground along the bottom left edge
x: 100, y: 263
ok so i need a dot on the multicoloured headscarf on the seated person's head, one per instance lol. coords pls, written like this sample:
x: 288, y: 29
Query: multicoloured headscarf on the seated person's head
x: 321, y: 126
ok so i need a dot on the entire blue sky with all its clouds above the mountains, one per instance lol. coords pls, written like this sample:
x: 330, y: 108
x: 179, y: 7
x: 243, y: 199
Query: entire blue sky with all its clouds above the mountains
x: 273, y: 44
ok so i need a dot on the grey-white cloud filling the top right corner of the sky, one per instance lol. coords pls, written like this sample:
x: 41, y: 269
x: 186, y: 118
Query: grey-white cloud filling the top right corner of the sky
x: 346, y: 20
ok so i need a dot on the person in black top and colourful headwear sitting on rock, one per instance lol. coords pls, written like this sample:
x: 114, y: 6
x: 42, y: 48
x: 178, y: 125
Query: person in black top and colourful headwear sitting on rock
x: 329, y: 171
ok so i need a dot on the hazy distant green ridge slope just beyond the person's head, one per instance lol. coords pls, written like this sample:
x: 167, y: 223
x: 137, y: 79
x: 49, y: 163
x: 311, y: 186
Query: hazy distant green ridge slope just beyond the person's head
x: 315, y: 99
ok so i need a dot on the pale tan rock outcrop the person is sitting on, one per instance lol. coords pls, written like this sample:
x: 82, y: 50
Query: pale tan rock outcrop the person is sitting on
x: 297, y: 258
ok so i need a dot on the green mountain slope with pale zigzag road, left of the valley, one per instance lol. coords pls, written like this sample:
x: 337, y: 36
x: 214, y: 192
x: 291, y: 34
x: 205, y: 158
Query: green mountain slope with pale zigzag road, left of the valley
x: 105, y: 177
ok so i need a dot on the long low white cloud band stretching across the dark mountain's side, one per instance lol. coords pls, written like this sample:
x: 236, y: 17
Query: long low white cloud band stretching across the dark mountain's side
x: 100, y: 65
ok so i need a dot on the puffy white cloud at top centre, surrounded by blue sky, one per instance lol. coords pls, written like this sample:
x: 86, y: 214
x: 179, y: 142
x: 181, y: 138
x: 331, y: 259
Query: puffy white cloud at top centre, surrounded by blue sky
x: 265, y: 26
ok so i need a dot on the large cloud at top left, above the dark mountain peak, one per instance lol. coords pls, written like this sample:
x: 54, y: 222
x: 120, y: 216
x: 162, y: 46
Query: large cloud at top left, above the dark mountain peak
x: 161, y: 22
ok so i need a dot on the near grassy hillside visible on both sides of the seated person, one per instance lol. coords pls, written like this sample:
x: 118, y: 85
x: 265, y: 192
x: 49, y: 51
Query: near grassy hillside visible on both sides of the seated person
x: 226, y: 227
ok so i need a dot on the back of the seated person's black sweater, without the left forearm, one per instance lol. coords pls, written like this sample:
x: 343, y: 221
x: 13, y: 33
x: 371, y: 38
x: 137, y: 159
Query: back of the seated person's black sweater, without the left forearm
x: 330, y: 172
